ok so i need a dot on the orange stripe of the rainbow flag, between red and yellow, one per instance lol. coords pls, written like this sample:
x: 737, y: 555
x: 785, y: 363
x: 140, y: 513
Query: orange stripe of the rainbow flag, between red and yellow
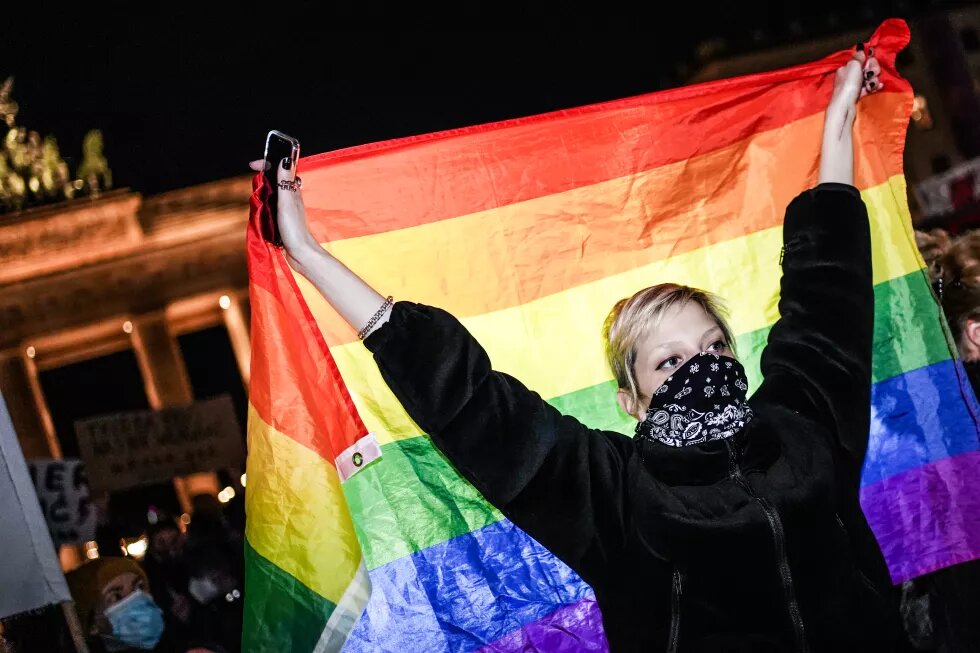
x: 645, y: 218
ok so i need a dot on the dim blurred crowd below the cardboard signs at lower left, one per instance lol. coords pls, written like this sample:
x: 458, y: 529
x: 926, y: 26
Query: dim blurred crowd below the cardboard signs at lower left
x: 184, y: 596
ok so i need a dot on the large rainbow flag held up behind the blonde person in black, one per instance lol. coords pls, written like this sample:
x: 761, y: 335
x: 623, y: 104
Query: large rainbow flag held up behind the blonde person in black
x: 361, y: 536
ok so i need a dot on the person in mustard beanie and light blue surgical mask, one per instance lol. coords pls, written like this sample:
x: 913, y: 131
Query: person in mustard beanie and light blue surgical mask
x: 114, y: 606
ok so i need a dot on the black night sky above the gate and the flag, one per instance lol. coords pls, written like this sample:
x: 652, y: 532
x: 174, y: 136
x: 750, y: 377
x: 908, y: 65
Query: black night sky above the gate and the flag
x: 184, y: 98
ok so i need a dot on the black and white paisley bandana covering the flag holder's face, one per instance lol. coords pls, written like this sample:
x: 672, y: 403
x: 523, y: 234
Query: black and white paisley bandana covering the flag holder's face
x: 702, y: 400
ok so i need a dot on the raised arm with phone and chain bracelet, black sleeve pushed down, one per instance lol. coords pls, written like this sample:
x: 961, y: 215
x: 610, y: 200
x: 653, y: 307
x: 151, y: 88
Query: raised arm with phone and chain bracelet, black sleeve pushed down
x: 555, y: 478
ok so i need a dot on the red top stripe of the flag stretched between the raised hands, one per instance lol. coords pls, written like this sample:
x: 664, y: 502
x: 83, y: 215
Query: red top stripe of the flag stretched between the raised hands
x: 351, y: 193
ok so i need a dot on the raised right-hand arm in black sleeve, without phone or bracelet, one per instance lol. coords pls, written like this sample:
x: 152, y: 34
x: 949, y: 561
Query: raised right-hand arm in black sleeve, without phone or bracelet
x: 818, y: 358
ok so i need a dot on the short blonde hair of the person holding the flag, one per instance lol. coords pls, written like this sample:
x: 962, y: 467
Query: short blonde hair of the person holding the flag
x: 631, y: 319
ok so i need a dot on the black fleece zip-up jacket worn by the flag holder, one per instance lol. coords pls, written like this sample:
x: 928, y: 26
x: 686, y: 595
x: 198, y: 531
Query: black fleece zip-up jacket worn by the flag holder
x: 755, y: 543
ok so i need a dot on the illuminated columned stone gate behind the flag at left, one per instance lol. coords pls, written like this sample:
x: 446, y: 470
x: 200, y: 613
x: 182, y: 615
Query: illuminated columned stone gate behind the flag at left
x: 122, y: 284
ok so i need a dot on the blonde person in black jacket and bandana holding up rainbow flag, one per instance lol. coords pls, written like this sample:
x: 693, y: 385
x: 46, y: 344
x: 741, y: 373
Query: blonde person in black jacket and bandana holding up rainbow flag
x: 727, y: 522
